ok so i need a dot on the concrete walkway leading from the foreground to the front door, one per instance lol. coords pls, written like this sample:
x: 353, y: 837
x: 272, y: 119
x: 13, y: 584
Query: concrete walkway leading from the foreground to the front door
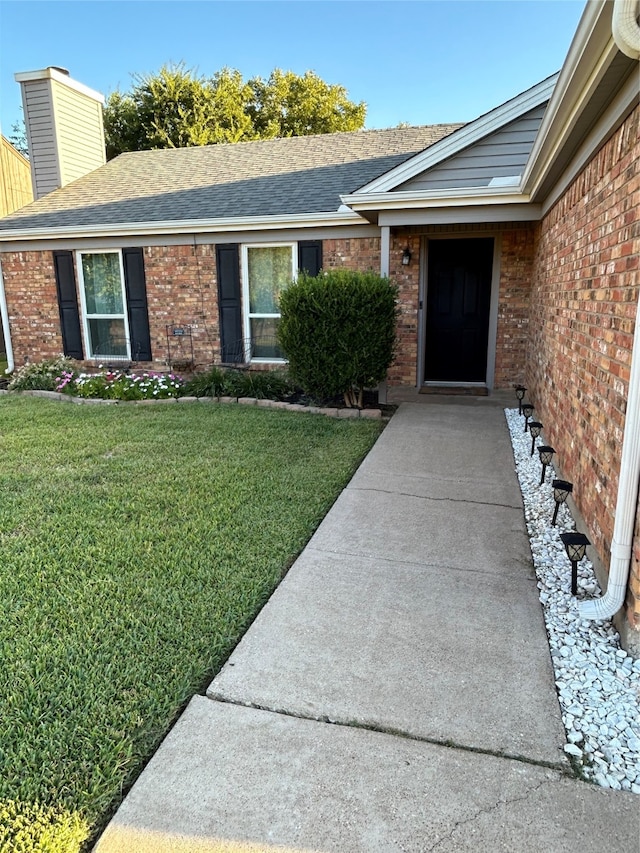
x: 396, y: 692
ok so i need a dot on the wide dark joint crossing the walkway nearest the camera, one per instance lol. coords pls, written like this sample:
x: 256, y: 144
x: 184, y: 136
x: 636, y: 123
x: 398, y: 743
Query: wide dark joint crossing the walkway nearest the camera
x: 560, y: 768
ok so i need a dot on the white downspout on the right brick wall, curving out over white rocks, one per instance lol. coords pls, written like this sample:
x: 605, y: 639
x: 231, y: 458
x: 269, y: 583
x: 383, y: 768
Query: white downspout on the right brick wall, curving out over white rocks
x: 627, y: 501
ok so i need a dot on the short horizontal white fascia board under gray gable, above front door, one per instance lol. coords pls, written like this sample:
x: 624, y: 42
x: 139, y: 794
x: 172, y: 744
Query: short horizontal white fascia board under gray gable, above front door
x: 456, y: 197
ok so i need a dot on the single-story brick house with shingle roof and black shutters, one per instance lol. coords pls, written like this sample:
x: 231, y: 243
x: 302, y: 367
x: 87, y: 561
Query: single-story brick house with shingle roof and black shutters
x: 514, y: 240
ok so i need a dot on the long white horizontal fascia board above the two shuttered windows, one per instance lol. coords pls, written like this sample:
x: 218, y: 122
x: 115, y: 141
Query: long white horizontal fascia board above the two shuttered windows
x: 189, y: 226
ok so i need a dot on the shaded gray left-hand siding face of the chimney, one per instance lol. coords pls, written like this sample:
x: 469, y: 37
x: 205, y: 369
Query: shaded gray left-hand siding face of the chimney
x: 45, y: 167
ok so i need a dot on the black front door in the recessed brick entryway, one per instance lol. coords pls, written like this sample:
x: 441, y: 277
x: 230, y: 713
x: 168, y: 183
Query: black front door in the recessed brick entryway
x: 458, y: 302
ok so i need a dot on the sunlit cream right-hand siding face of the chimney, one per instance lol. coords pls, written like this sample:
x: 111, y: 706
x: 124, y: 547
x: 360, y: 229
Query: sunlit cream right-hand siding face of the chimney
x: 78, y: 121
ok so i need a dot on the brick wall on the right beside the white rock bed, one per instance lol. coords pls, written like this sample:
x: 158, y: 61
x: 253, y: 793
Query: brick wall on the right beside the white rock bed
x: 582, y: 319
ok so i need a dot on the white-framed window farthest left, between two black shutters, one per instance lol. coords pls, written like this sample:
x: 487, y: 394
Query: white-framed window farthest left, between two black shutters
x: 102, y: 295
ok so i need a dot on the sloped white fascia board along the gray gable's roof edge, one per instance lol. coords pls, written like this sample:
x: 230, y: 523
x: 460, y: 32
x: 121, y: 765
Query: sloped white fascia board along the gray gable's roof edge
x: 464, y: 137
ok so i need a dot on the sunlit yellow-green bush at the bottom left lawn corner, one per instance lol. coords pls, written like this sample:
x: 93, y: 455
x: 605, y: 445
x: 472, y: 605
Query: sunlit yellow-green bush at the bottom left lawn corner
x: 32, y: 828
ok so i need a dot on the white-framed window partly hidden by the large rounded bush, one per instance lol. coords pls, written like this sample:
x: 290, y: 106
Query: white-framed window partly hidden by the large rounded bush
x: 266, y: 270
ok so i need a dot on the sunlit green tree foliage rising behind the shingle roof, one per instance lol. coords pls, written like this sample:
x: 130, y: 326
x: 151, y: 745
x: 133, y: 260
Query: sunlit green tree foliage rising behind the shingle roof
x: 176, y: 108
